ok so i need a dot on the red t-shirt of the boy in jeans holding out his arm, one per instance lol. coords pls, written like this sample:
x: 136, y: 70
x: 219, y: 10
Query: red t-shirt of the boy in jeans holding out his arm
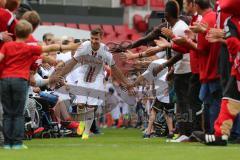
x: 18, y: 58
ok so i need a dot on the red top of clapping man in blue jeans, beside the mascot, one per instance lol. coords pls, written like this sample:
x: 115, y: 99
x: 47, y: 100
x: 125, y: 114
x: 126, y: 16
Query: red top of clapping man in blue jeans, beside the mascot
x: 208, y: 53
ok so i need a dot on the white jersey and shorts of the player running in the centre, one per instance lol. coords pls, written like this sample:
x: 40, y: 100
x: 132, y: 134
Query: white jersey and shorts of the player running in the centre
x: 91, y: 71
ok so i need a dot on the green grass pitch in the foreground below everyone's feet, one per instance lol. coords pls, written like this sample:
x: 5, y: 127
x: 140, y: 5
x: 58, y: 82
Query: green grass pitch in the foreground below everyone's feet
x: 118, y: 144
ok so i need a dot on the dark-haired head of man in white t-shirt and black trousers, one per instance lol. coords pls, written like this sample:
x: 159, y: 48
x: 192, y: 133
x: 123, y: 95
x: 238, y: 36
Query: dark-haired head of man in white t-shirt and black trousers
x: 172, y: 9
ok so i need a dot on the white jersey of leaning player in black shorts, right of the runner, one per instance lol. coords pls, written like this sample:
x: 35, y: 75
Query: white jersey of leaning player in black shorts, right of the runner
x: 161, y: 85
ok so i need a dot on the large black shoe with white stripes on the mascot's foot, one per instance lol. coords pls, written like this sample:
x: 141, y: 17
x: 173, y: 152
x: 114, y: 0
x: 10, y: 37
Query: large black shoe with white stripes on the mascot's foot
x: 209, y: 139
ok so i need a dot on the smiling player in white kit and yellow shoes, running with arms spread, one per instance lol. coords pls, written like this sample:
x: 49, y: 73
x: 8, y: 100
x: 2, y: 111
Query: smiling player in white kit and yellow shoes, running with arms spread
x: 92, y: 55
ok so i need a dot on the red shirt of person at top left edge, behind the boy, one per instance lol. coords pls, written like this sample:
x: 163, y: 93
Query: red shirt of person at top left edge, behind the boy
x: 8, y: 22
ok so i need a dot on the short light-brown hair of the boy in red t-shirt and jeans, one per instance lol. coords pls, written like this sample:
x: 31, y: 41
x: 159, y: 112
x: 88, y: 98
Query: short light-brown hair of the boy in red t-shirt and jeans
x: 23, y: 29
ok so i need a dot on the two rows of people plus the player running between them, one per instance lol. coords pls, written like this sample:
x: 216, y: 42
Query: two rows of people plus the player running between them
x: 190, y: 90
